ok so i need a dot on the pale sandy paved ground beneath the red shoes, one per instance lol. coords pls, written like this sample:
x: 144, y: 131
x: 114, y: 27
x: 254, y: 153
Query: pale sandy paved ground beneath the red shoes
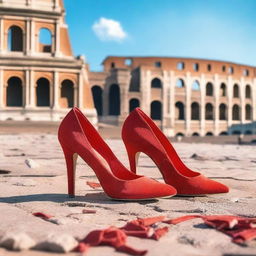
x: 26, y: 190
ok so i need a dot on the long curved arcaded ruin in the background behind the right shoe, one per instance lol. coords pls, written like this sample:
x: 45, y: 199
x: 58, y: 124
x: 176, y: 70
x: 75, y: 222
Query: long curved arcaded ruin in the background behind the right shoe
x: 184, y: 96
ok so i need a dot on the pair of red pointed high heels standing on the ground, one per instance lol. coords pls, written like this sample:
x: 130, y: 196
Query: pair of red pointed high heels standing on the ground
x: 77, y: 136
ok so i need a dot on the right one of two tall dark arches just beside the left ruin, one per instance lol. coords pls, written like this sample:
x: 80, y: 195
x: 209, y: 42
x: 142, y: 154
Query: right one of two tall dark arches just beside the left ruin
x: 114, y: 100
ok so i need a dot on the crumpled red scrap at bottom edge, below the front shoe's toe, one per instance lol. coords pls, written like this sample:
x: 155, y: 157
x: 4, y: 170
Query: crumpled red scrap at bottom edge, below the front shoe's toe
x: 112, y: 236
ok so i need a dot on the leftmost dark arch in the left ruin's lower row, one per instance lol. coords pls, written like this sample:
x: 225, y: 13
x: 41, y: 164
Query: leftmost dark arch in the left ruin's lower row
x: 14, y: 92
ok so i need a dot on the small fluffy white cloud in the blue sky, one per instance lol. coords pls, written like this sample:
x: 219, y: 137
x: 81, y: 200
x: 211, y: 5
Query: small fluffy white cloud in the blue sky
x: 109, y: 30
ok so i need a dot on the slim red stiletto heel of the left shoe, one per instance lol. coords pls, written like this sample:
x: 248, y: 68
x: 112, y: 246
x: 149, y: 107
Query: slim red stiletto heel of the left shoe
x: 71, y: 160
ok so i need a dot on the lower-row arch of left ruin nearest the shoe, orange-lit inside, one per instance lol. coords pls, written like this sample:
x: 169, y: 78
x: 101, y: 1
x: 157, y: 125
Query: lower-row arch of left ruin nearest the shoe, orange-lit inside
x: 67, y: 93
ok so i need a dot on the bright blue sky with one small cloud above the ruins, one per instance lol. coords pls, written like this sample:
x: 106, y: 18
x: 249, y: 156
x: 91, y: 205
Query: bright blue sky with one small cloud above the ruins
x: 216, y: 29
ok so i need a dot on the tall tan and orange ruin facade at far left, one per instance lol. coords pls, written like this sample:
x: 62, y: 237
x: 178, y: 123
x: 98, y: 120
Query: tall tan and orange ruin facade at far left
x: 40, y: 79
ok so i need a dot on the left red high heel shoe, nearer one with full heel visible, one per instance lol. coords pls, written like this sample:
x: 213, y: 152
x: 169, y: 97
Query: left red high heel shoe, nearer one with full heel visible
x: 77, y: 136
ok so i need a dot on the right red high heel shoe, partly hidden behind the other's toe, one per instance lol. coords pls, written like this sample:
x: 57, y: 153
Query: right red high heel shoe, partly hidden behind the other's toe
x: 140, y: 134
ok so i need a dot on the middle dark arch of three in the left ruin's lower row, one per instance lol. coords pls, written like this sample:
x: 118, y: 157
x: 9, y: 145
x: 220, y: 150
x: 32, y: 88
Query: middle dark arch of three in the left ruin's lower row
x: 43, y: 92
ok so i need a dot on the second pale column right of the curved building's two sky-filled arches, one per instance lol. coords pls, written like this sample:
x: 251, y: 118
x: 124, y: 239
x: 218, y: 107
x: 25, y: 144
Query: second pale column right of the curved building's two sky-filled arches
x: 216, y: 104
